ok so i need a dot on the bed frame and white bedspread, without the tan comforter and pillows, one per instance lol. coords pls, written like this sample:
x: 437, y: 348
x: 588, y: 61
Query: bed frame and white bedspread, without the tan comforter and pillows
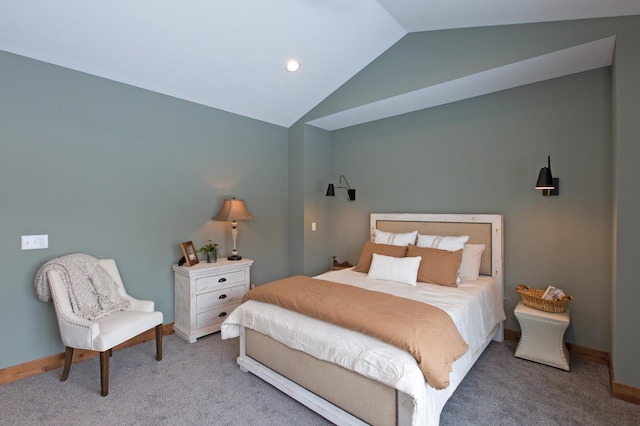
x: 354, y: 379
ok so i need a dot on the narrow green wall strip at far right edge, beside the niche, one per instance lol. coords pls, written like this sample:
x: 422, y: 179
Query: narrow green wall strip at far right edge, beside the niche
x: 626, y: 104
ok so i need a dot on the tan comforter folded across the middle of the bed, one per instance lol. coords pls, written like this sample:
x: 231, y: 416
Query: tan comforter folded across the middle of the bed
x: 425, y: 331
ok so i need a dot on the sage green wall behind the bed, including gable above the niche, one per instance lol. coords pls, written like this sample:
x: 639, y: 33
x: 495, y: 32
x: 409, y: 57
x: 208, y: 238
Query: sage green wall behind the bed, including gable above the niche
x: 484, y: 154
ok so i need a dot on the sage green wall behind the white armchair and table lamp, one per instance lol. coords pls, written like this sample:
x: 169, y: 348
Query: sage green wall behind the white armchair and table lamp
x: 115, y: 171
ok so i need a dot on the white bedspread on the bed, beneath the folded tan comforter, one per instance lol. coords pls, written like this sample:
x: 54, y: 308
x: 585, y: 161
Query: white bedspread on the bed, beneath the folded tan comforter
x: 475, y: 307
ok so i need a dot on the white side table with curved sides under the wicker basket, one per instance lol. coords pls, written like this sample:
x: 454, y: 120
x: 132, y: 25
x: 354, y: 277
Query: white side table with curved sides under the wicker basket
x: 542, y: 338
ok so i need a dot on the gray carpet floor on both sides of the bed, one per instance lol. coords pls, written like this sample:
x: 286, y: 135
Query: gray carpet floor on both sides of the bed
x: 200, y: 384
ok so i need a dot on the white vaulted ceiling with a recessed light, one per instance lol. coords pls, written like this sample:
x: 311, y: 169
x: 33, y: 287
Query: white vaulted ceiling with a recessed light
x: 231, y: 55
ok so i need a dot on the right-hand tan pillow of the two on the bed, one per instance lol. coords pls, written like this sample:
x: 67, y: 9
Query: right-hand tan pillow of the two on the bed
x: 437, y: 266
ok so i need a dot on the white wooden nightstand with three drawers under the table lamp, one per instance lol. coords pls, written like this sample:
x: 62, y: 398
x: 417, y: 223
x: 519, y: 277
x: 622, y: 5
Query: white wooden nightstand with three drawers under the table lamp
x: 206, y: 293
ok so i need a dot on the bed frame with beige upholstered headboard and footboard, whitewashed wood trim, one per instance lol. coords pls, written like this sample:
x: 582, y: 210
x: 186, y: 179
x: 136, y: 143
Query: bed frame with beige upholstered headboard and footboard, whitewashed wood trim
x: 338, y: 394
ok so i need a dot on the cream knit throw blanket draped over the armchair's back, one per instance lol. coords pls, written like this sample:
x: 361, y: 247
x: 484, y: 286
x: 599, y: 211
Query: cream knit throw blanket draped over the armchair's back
x: 91, y: 289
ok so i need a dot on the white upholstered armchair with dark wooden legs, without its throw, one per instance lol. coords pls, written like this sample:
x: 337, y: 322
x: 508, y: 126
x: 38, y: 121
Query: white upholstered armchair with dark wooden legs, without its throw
x: 103, y: 334
